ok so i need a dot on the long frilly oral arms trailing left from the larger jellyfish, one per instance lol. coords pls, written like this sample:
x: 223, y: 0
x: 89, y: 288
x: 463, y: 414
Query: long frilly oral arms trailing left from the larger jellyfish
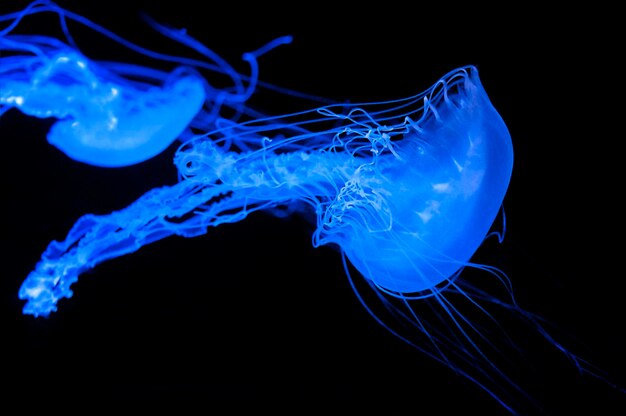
x: 210, y: 198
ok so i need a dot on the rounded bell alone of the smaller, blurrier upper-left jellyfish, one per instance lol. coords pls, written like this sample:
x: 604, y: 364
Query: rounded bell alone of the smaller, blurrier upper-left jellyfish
x: 123, y: 125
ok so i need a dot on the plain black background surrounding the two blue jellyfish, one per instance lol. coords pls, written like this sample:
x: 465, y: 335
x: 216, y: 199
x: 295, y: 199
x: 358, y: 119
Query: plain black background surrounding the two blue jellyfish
x: 250, y: 311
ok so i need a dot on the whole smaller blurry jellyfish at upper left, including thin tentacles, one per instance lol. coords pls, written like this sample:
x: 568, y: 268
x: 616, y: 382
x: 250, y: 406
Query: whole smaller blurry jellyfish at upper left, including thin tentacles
x: 114, y: 114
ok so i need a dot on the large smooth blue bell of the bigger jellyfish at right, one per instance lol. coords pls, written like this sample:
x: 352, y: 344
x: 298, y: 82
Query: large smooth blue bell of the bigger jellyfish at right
x: 423, y: 209
